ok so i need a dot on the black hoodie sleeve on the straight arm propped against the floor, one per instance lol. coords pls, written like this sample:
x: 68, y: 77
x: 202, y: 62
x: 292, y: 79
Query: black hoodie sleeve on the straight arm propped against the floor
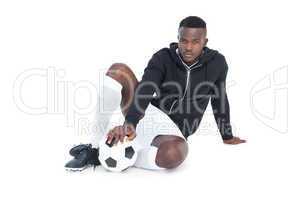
x: 220, y: 104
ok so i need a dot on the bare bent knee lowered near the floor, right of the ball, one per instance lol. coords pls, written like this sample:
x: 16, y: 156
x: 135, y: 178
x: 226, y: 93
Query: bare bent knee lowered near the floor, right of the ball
x: 171, y: 154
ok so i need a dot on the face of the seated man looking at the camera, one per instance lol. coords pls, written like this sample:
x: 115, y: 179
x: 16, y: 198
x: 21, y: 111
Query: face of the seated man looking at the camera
x: 191, y: 42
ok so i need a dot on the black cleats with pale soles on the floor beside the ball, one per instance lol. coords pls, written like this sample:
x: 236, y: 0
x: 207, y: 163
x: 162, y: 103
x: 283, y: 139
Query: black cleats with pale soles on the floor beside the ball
x: 84, y: 156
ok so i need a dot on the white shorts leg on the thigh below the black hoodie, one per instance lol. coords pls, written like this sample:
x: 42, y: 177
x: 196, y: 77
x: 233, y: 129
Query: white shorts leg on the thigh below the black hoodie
x: 155, y: 122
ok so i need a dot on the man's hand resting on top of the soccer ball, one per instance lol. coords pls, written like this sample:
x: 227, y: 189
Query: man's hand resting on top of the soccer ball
x: 119, y: 133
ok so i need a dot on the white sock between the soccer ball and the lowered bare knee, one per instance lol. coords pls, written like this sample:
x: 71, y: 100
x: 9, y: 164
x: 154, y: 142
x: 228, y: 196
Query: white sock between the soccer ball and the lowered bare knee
x: 146, y: 158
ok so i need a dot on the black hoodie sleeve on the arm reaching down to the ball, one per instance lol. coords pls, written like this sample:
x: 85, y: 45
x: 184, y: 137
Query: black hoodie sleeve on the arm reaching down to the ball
x: 151, y: 81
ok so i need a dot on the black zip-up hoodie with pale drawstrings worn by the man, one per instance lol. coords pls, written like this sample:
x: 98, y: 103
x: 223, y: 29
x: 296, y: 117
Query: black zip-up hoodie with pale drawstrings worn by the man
x: 182, y: 91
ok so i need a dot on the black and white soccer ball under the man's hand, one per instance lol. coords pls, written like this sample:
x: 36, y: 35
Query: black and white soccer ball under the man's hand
x: 118, y: 157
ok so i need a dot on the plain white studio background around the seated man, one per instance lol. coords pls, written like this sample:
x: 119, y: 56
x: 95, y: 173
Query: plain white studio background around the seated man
x: 78, y: 38
